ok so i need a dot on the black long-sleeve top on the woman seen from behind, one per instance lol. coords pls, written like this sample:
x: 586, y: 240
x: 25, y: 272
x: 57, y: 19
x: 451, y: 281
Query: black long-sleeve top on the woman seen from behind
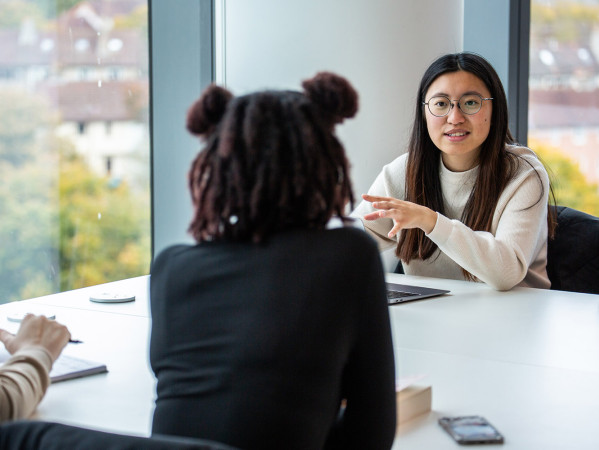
x: 258, y: 345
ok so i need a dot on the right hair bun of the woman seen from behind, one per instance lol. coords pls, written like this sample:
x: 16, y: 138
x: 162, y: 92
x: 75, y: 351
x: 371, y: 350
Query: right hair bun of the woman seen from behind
x: 333, y: 94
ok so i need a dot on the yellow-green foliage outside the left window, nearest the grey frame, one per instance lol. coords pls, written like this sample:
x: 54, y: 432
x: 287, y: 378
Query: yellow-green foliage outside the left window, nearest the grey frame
x: 104, y: 230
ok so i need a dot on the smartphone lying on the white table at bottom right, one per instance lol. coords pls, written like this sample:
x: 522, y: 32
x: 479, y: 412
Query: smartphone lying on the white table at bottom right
x: 471, y: 430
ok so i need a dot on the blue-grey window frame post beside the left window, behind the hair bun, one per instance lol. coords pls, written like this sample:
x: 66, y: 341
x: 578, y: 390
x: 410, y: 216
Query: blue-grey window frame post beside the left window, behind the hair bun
x: 181, y: 38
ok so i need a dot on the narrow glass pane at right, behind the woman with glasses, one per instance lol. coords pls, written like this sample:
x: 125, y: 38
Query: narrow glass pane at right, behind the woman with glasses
x: 563, y: 116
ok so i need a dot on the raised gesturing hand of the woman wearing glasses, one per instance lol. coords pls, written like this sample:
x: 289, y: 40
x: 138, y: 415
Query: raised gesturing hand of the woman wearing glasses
x: 404, y: 214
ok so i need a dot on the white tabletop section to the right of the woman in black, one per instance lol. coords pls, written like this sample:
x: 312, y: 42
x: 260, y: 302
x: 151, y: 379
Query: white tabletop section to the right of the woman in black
x: 527, y: 360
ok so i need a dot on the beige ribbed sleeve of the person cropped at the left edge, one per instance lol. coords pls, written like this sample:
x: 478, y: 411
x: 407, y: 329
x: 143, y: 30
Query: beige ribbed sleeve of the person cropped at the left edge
x: 24, y: 379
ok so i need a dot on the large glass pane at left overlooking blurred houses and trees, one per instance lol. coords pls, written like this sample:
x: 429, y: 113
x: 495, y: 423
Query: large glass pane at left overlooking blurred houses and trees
x: 74, y: 144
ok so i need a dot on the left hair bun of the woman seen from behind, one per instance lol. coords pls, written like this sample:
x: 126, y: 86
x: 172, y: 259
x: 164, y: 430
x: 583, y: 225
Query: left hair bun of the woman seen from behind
x: 208, y: 110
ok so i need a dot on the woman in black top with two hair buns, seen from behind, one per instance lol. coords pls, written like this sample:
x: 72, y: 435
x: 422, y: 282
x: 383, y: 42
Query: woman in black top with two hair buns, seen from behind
x: 273, y: 331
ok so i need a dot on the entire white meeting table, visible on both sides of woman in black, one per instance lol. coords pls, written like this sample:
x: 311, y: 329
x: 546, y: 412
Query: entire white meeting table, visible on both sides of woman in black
x: 527, y: 360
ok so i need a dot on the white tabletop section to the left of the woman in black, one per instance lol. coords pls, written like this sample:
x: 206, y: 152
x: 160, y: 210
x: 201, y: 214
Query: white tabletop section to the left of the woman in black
x: 121, y: 400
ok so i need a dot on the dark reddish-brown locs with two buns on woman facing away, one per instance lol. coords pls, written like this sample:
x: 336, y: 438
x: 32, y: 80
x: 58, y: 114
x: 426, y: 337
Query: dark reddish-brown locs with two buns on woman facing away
x: 271, y: 161
